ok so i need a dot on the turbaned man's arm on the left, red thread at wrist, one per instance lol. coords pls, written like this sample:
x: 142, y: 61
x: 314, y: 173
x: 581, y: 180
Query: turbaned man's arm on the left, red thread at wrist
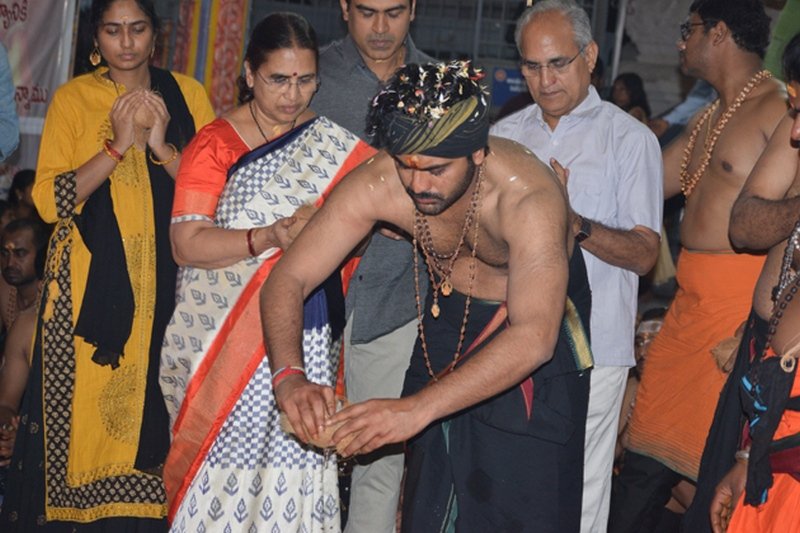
x: 339, y: 226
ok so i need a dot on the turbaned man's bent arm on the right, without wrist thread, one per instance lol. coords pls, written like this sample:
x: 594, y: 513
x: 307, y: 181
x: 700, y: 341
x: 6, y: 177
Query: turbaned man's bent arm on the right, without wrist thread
x: 534, y: 227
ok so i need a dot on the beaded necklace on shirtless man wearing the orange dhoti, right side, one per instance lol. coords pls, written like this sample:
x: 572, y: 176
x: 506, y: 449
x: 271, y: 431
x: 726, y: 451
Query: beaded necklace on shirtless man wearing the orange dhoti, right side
x: 689, y: 181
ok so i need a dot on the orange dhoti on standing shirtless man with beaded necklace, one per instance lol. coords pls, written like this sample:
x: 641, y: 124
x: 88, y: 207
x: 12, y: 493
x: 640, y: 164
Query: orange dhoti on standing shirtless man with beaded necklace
x: 681, y: 381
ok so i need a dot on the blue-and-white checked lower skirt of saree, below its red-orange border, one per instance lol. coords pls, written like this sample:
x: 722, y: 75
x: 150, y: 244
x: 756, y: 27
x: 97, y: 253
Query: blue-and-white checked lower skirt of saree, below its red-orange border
x: 256, y: 477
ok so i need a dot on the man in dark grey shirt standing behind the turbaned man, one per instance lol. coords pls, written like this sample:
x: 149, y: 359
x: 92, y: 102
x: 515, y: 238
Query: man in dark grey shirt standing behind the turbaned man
x: 381, y: 328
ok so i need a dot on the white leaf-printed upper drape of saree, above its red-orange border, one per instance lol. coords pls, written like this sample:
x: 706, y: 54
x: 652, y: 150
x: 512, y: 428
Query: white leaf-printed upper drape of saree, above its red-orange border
x: 205, y: 297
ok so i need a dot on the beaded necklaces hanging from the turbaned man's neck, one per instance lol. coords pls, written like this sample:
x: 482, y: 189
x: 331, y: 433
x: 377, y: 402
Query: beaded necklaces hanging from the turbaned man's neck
x: 423, y: 239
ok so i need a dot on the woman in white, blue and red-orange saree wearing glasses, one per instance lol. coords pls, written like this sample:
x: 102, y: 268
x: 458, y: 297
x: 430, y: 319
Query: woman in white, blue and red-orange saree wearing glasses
x: 239, y: 186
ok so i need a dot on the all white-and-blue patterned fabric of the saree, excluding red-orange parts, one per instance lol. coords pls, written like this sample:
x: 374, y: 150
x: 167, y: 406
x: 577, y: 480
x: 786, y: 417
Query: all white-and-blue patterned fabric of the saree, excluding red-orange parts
x: 255, y: 477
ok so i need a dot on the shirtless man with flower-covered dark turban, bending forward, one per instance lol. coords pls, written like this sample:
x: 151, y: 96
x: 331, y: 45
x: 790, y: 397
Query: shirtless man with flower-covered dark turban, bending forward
x: 495, y: 399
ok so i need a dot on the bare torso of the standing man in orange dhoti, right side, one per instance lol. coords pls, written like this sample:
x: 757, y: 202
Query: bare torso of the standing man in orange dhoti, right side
x: 705, y: 223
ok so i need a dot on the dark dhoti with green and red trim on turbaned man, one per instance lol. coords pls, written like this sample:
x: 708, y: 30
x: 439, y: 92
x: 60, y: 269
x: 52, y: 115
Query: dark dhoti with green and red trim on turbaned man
x: 515, y: 461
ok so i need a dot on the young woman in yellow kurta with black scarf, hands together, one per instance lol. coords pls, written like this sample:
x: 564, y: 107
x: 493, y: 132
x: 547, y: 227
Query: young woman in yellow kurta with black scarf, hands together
x: 93, y: 430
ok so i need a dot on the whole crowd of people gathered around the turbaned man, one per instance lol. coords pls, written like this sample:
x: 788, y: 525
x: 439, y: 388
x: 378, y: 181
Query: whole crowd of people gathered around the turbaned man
x: 354, y: 263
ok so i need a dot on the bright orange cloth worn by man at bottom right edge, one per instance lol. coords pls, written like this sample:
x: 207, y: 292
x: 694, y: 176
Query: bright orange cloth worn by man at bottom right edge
x: 781, y: 511
